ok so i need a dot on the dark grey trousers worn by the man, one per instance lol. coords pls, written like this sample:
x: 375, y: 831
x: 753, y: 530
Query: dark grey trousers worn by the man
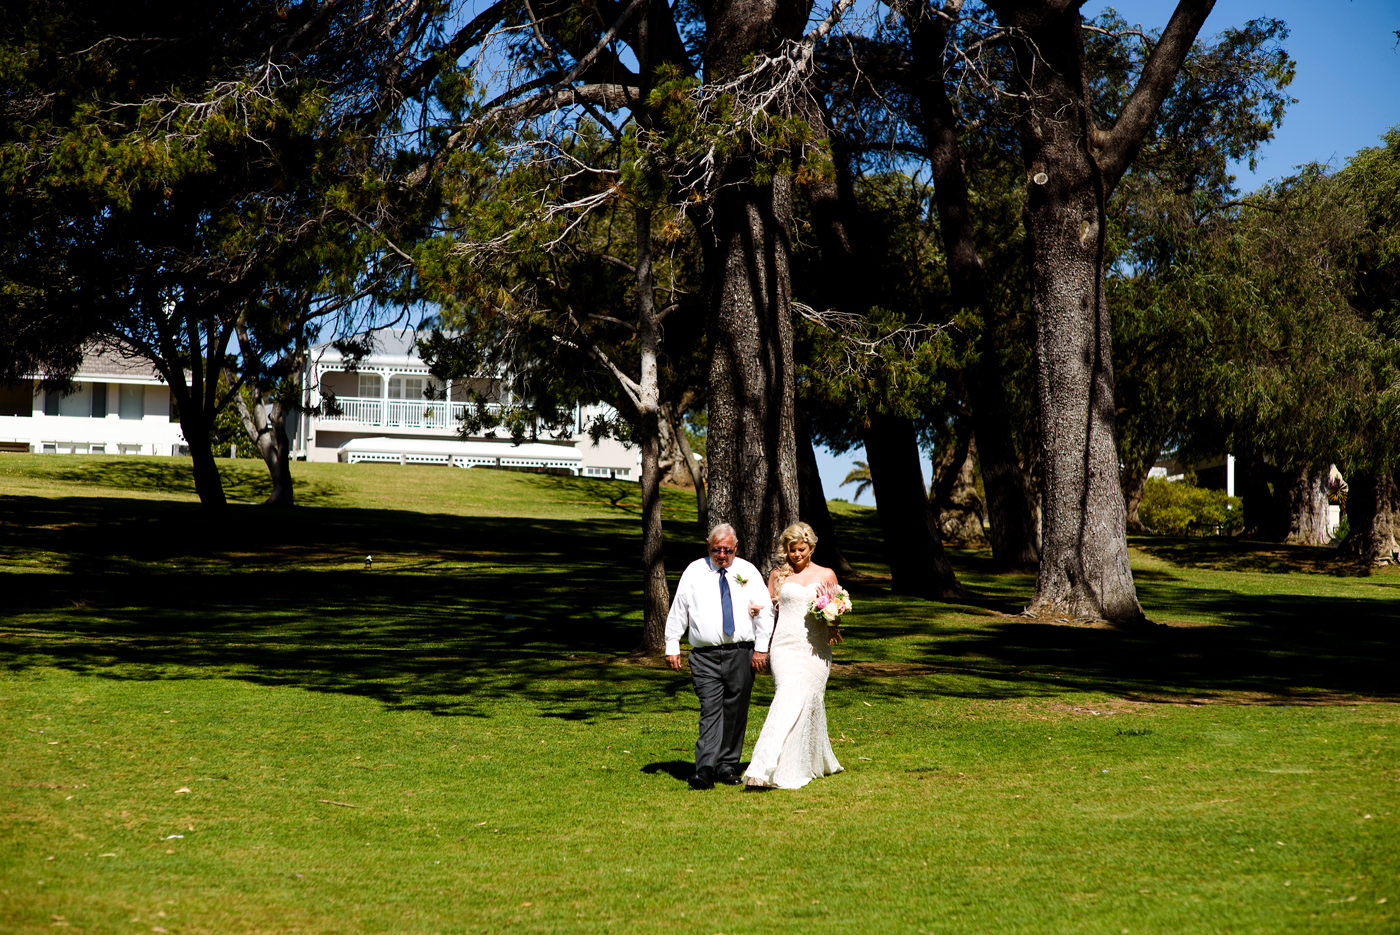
x: 723, y: 680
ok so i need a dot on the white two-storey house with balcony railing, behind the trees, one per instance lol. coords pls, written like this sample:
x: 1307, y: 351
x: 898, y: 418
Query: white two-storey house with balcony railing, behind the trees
x: 384, y: 414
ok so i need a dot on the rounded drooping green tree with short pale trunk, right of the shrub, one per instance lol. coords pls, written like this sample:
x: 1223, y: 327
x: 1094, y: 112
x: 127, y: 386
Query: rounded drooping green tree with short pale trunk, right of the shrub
x: 1284, y: 363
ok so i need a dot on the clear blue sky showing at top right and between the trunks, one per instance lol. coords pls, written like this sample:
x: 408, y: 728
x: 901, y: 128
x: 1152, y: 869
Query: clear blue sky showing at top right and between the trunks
x: 1347, y: 89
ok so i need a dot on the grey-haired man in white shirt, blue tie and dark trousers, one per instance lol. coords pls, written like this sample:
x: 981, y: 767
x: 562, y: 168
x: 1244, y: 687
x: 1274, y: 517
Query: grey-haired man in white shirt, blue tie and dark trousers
x: 724, y: 605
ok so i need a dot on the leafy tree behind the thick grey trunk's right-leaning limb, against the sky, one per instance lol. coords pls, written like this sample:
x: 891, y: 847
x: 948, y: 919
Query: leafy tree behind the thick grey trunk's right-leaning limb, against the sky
x: 1227, y: 101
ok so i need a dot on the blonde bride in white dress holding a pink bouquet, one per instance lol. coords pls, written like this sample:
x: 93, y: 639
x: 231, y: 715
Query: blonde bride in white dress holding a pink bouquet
x: 794, y: 748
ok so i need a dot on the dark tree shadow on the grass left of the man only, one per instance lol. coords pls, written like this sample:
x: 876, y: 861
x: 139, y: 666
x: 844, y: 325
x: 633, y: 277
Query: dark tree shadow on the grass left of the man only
x: 454, y: 615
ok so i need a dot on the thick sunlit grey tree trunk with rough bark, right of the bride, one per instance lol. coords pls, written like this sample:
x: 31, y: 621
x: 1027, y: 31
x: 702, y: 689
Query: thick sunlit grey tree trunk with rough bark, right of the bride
x: 1084, y: 561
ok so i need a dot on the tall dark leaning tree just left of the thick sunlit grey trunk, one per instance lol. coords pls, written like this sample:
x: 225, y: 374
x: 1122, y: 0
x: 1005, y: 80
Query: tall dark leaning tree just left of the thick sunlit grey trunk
x: 958, y: 127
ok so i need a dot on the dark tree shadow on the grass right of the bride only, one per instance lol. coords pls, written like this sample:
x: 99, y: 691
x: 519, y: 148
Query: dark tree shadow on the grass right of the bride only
x: 1282, y: 649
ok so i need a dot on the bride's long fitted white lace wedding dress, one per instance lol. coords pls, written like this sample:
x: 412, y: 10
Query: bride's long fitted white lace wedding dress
x: 793, y: 747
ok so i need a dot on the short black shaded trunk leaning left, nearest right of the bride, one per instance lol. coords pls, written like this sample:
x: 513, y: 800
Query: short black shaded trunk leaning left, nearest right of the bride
x: 918, y: 562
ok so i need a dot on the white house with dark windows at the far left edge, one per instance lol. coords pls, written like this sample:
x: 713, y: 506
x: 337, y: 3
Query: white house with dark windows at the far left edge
x: 118, y: 408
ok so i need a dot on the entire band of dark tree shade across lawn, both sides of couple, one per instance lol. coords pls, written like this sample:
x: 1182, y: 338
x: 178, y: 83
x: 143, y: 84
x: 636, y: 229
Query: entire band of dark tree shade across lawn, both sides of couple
x: 460, y: 615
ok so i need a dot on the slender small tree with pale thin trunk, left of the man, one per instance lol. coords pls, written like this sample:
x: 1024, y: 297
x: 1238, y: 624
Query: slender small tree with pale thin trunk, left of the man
x: 569, y: 309
